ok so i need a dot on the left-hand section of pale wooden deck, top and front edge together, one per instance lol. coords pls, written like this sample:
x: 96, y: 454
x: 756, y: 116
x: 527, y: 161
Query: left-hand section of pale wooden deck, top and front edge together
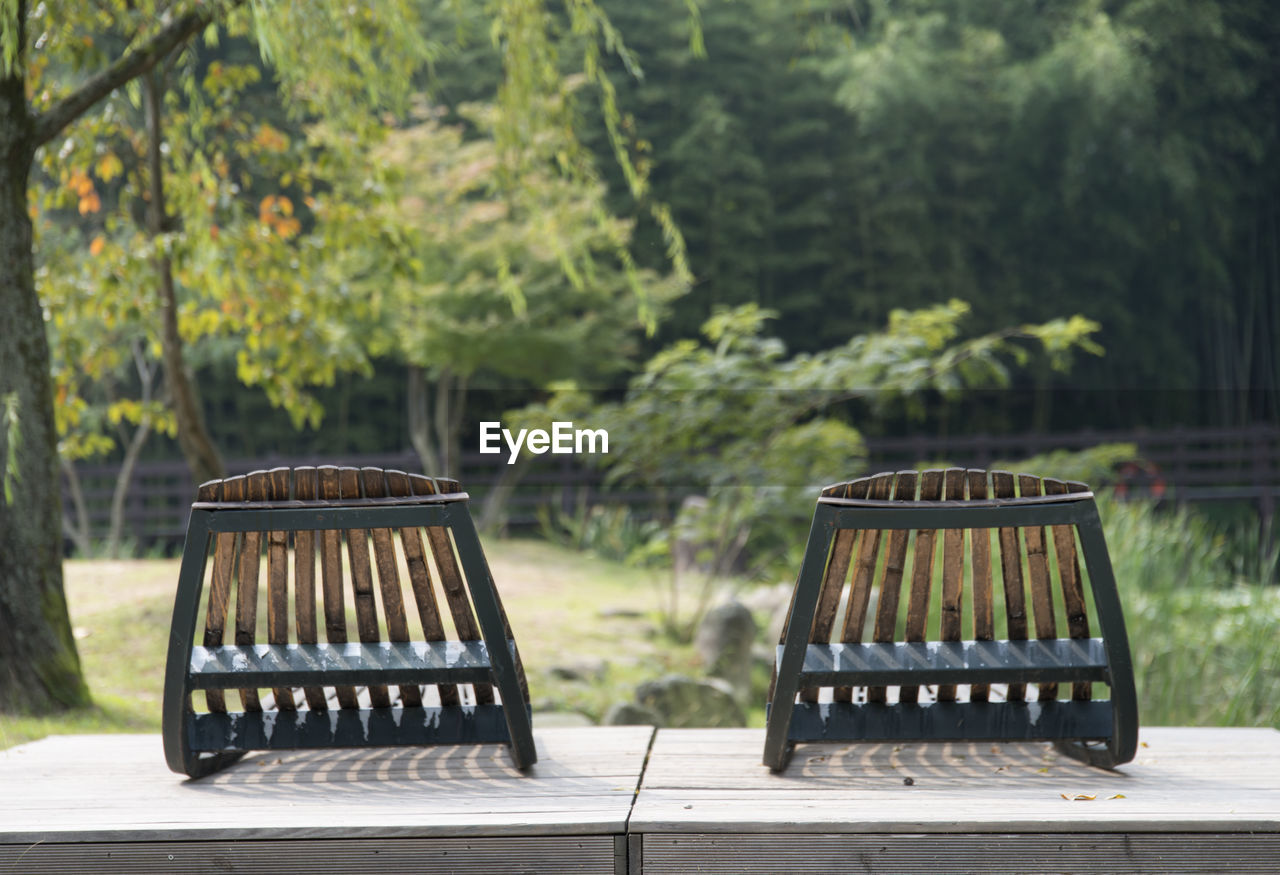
x: 108, y: 804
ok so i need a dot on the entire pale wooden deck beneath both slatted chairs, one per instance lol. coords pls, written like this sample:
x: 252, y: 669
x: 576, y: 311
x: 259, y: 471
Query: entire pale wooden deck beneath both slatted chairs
x: 1195, y: 800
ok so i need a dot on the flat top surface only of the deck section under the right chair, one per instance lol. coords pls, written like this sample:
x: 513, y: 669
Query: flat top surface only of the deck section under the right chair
x: 1201, y: 780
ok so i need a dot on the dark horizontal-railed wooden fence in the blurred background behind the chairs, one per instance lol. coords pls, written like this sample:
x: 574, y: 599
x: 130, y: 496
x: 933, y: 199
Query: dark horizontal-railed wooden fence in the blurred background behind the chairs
x: 1203, y: 465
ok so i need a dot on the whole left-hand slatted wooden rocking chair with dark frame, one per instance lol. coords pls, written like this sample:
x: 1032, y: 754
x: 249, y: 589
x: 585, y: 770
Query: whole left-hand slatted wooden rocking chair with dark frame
x: 337, y: 694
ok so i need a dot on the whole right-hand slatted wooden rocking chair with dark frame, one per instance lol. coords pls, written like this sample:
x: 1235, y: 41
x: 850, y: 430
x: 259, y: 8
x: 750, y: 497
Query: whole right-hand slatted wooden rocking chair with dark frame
x: 888, y: 529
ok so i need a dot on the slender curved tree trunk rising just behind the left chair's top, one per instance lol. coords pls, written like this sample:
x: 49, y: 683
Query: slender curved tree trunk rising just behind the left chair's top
x: 198, y: 447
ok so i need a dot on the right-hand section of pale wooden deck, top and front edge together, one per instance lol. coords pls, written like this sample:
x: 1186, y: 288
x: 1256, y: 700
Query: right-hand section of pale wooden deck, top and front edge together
x: 1194, y: 801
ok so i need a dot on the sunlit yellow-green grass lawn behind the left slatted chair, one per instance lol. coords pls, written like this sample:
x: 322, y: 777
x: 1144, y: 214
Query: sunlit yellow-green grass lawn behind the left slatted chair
x: 572, y: 615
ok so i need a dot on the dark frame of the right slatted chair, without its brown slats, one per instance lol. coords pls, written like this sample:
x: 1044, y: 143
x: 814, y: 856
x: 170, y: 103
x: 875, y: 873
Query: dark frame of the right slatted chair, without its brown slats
x: 1071, y: 725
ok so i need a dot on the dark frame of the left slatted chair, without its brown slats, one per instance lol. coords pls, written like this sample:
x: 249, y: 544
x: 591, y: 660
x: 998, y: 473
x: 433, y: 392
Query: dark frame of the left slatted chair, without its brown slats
x: 200, y: 744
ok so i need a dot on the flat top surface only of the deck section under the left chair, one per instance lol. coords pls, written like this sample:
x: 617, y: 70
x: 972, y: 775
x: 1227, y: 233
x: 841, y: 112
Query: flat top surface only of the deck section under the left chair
x: 117, y: 789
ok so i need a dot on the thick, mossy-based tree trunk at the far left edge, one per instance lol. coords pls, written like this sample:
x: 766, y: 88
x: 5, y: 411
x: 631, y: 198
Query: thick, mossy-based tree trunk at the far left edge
x: 40, y: 670
